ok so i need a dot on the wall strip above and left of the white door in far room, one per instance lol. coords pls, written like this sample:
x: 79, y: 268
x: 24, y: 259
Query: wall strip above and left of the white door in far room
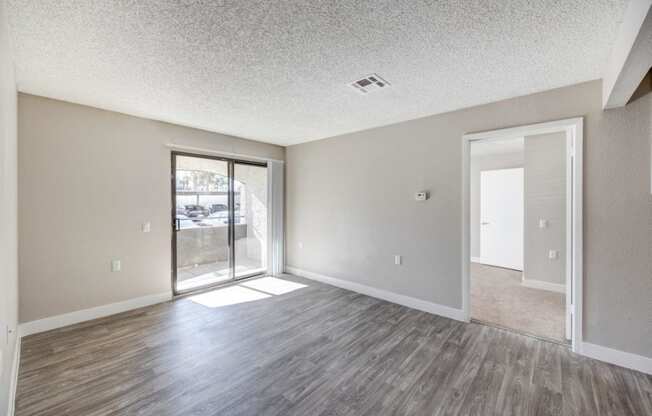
x: 478, y: 164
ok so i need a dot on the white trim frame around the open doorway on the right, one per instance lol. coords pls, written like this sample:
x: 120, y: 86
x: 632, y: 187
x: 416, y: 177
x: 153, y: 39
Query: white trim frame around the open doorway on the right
x: 573, y: 128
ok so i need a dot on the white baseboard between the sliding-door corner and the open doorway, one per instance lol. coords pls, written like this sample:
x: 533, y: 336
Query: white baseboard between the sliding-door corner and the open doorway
x: 404, y: 300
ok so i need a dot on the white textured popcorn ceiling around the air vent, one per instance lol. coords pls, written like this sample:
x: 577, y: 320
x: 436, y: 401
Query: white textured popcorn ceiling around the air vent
x: 279, y: 71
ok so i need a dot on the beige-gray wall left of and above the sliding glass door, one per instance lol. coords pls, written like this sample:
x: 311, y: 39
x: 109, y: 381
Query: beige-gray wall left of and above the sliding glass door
x: 88, y: 178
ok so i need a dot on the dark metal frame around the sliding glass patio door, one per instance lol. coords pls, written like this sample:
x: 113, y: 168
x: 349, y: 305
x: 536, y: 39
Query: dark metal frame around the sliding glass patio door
x: 231, y: 162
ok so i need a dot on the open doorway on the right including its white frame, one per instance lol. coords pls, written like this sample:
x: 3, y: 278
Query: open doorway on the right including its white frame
x: 533, y: 253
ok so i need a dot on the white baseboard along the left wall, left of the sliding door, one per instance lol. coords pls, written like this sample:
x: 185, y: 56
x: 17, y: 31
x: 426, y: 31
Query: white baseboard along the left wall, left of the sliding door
x: 59, y: 321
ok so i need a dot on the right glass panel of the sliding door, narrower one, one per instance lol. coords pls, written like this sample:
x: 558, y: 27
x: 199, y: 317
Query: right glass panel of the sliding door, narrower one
x: 250, y: 219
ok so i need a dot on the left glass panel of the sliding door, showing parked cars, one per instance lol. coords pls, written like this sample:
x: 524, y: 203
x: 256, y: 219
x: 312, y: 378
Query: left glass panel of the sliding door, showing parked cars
x: 201, y: 230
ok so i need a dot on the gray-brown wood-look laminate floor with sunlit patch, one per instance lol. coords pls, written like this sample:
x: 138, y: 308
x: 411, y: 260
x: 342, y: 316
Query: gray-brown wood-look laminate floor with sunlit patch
x: 313, y: 350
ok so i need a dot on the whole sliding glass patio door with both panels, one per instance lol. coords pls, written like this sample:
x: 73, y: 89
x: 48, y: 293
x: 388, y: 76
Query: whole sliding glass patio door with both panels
x: 219, y: 220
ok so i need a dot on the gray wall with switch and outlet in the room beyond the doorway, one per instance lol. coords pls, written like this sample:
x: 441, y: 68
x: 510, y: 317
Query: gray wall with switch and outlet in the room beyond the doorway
x: 545, y: 198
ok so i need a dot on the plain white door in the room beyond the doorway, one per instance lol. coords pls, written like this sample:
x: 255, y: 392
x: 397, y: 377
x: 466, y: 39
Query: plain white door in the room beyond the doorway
x: 501, y: 218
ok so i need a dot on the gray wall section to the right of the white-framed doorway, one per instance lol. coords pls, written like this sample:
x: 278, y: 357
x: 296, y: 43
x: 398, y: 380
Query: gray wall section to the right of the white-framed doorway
x: 618, y: 228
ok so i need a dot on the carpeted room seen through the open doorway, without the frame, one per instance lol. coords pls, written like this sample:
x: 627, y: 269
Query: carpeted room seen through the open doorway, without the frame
x: 518, y: 234
